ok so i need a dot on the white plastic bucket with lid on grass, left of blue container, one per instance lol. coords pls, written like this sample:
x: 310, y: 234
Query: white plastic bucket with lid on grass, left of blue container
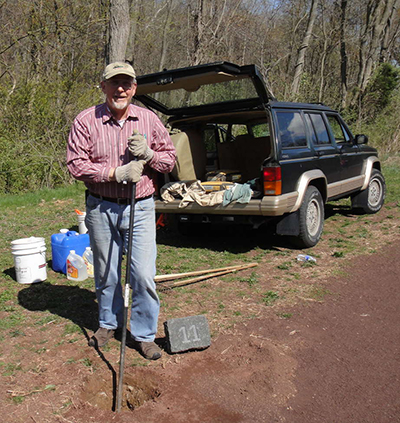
x: 29, y: 259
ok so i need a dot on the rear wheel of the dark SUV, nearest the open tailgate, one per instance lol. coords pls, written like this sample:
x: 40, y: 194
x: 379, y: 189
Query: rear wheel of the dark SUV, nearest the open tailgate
x: 311, y: 219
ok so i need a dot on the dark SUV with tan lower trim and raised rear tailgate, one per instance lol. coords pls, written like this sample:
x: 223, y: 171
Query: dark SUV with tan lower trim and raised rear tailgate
x: 228, y: 130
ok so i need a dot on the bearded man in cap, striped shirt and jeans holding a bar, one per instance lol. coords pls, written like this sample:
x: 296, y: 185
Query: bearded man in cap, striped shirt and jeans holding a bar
x: 104, y: 155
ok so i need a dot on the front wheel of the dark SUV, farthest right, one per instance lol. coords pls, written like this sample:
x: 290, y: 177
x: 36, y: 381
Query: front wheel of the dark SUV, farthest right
x: 372, y: 198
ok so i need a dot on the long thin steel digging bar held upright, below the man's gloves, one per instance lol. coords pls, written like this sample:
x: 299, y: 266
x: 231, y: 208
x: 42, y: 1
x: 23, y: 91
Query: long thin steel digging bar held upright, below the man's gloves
x: 126, y: 300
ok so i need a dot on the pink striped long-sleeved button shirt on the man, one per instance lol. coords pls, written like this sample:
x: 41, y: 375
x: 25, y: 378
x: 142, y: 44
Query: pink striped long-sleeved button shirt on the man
x: 97, y: 143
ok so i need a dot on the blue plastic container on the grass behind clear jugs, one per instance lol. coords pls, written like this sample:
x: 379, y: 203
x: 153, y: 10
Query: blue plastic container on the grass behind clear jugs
x: 62, y: 244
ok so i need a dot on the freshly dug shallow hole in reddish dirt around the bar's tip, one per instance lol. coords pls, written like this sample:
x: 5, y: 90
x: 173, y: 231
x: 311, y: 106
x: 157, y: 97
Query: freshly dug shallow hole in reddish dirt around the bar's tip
x: 138, y: 388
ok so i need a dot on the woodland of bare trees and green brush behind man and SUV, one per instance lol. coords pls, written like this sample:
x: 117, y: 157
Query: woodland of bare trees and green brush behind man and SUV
x: 345, y: 54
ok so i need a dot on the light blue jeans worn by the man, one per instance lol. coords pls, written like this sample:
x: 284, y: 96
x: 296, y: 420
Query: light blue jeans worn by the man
x: 108, y: 226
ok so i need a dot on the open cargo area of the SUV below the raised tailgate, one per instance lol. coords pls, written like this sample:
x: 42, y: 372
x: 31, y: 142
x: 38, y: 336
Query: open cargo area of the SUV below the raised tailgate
x: 218, y: 152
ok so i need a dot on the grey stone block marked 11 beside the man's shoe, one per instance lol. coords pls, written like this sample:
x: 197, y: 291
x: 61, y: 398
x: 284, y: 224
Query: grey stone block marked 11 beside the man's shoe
x: 187, y: 333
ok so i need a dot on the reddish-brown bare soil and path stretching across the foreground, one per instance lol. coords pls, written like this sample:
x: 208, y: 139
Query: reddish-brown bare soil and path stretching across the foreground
x: 332, y: 358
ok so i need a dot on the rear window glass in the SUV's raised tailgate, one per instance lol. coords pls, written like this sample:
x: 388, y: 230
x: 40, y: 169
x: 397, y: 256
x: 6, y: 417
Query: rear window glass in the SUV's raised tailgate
x: 237, y: 89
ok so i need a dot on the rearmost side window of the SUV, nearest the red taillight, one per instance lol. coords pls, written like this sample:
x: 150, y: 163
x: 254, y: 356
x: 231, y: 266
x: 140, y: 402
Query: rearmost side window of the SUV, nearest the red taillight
x: 291, y: 129
